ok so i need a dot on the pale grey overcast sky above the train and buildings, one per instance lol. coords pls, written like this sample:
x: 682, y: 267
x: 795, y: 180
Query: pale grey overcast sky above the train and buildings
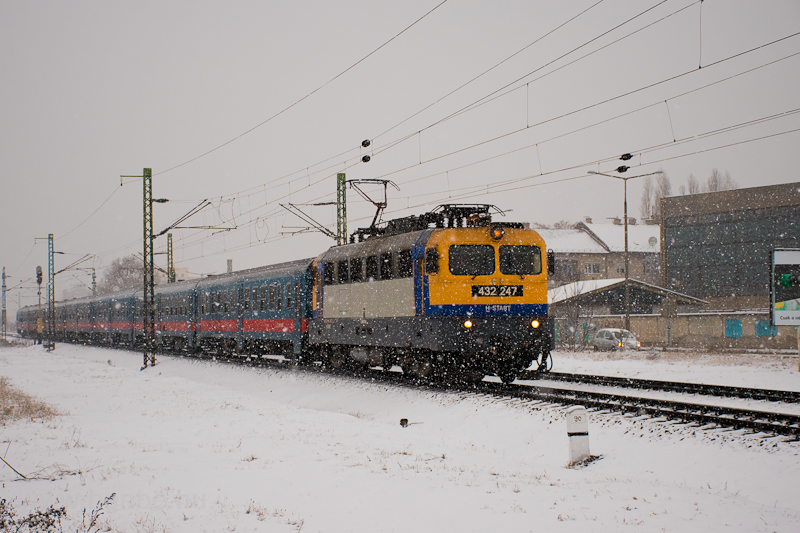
x: 92, y: 90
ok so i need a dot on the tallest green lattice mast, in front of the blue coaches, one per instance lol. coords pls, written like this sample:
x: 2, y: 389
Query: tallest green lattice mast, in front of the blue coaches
x: 149, y: 312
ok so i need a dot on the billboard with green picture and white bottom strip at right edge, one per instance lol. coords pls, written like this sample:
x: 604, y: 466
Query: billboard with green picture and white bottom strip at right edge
x: 785, y: 287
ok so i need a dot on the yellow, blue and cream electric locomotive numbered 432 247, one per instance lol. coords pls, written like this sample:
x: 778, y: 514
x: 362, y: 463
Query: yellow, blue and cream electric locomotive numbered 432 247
x: 449, y: 294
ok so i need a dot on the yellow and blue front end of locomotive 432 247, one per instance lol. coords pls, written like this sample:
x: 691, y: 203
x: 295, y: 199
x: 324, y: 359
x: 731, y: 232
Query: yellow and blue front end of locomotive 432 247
x: 487, y: 288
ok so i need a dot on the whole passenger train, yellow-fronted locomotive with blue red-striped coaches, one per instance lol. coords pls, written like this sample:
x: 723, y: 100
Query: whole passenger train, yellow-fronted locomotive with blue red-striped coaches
x: 447, y: 295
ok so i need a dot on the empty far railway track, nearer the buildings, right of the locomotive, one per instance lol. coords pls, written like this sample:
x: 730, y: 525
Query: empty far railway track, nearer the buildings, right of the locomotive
x: 669, y: 386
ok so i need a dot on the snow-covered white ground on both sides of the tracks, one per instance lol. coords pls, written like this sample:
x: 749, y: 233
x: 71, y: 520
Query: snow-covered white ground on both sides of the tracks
x: 200, y: 446
